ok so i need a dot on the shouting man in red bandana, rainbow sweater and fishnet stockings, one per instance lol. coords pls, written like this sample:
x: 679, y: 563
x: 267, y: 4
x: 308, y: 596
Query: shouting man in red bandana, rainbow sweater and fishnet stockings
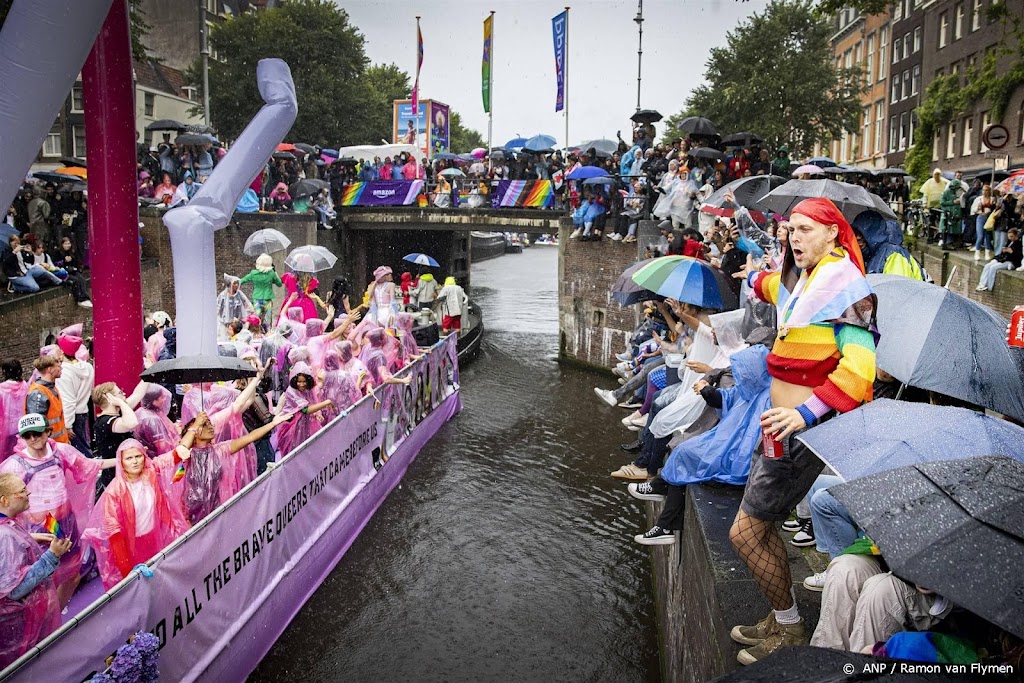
x: 823, y: 363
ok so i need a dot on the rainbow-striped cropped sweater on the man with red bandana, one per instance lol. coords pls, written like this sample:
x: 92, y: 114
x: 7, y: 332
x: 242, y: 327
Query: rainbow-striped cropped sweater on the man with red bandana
x: 836, y: 359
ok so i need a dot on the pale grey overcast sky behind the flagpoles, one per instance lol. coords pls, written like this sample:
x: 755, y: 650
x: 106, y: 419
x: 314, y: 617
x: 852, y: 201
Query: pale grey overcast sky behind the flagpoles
x: 603, y: 69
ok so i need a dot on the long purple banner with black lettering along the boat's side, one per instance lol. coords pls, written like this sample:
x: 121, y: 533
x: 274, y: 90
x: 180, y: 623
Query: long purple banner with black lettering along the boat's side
x: 222, y: 595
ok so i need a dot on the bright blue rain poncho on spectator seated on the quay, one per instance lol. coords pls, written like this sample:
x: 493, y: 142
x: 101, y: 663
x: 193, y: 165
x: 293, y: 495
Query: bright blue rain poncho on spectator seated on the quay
x: 723, y: 454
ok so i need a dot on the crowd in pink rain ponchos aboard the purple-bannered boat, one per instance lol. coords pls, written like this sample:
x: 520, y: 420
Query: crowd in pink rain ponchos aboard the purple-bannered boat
x: 97, y: 480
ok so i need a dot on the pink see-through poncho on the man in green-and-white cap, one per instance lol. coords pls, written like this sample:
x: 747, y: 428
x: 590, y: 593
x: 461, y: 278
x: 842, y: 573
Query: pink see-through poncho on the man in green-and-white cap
x: 64, y: 485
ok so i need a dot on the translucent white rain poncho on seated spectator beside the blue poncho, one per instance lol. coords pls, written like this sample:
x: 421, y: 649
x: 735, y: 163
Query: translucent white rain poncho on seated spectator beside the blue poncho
x: 688, y: 406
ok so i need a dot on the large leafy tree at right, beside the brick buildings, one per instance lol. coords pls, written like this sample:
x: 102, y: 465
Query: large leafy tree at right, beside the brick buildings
x: 776, y: 77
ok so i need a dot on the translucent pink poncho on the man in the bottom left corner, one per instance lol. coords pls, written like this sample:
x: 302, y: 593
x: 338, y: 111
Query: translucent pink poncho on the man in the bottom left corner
x: 23, y: 623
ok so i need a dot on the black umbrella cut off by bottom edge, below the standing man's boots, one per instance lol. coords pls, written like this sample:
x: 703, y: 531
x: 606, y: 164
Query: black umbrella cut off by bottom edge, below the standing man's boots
x: 820, y: 665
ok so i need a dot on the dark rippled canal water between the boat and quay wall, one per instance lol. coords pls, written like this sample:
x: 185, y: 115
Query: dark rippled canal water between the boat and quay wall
x: 507, y: 552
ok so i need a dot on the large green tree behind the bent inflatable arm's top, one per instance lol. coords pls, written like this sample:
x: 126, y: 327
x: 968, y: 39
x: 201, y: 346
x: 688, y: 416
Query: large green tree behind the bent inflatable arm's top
x: 326, y: 55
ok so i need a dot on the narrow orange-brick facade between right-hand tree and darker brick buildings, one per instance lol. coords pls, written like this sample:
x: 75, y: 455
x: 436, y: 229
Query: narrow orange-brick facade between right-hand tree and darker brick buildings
x: 863, y: 40
